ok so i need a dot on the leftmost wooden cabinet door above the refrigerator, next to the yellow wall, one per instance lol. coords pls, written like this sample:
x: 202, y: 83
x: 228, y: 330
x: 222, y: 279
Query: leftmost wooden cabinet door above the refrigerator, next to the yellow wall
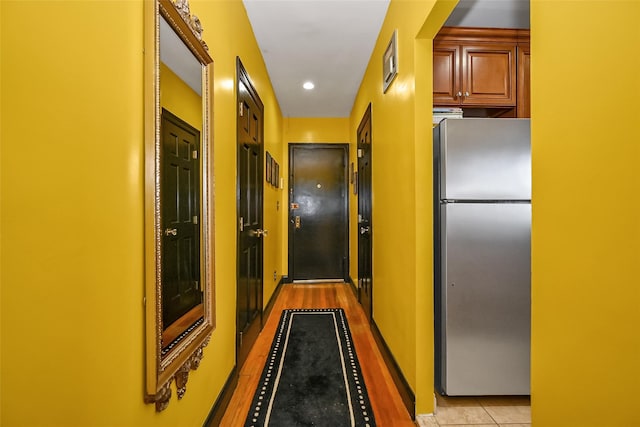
x: 446, y: 77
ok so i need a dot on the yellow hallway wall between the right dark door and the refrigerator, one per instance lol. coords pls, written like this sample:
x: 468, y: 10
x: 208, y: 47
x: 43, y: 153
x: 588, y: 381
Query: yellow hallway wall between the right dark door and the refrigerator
x: 401, y: 181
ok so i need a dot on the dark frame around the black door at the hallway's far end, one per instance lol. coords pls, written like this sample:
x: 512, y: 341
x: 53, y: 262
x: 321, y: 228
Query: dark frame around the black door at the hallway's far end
x: 290, y: 248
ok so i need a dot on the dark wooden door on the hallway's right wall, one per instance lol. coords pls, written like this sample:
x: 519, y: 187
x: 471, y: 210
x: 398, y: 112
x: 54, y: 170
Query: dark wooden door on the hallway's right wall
x: 365, y: 223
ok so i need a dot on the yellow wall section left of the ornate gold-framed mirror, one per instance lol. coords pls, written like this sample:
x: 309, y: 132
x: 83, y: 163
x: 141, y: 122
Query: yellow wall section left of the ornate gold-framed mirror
x: 72, y: 320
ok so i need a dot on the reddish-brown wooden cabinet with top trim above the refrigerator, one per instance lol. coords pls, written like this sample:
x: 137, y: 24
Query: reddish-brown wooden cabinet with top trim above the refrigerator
x: 477, y: 67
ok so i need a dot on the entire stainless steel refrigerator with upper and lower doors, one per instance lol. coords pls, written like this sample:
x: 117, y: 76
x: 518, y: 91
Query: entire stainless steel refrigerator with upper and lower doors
x: 482, y: 287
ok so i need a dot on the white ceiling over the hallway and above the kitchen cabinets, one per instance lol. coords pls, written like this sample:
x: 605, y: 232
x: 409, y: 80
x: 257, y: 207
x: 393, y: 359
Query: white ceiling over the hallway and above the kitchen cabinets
x: 330, y: 42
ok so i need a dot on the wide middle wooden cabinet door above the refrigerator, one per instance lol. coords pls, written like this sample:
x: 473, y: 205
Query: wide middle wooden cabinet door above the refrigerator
x: 489, y: 76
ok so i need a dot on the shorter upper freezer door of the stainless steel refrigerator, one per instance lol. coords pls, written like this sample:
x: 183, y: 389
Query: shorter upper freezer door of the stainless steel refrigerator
x: 485, y: 159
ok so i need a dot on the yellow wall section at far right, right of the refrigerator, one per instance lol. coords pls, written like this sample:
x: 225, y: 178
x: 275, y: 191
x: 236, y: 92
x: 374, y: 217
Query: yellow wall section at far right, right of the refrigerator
x: 586, y: 229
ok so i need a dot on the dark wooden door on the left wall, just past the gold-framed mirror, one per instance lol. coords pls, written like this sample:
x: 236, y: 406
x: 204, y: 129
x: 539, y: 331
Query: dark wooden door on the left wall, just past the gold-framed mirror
x: 250, y: 200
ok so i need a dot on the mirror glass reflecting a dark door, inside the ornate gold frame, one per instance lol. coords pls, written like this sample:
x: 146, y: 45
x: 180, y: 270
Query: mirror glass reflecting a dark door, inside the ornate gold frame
x: 181, y: 177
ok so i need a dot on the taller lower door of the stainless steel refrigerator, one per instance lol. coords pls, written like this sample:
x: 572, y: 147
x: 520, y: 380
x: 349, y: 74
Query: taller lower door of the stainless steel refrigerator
x: 487, y: 305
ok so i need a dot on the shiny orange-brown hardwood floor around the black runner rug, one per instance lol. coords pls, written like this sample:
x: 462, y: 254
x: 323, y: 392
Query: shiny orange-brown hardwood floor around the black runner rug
x: 387, y: 405
